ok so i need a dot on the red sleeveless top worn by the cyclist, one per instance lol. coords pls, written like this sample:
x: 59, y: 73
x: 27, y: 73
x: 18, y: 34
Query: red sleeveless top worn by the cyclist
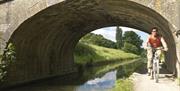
x: 155, y: 42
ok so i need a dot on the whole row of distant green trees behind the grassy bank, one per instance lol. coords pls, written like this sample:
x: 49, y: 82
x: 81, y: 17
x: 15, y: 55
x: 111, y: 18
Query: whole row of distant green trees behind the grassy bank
x: 129, y: 41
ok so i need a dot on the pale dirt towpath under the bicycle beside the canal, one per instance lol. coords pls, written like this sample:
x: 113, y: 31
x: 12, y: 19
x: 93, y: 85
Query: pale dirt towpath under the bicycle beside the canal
x: 142, y: 82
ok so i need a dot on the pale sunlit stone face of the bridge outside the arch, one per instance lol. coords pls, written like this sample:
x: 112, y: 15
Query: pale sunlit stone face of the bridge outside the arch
x: 14, y: 13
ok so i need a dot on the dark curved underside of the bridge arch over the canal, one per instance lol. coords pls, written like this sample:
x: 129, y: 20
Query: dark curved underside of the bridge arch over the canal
x: 45, y: 41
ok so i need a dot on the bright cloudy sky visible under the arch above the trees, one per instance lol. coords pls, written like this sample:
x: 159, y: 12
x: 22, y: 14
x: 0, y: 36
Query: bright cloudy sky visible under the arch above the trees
x: 110, y: 32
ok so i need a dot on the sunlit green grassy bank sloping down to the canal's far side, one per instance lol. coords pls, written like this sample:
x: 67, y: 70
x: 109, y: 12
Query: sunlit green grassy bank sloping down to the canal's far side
x: 89, y: 53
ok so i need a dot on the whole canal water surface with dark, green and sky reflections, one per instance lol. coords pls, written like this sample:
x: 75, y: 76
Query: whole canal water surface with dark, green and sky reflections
x: 101, y: 78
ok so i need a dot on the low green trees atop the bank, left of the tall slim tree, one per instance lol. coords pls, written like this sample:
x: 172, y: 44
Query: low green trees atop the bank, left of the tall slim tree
x: 98, y: 40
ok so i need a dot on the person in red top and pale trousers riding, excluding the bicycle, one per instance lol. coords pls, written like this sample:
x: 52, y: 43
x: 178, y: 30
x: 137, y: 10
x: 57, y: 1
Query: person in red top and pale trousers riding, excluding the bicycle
x: 154, y: 41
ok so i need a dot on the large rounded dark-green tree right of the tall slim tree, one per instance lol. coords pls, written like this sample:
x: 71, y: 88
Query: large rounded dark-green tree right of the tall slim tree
x: 133, y: 38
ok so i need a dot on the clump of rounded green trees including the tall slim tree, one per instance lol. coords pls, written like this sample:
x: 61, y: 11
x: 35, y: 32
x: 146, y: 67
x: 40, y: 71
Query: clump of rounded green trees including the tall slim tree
x: 129, y: 41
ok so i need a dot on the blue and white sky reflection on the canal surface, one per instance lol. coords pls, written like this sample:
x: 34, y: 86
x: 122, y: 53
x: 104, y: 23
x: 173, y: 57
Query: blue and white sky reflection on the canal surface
x: 104, y: 83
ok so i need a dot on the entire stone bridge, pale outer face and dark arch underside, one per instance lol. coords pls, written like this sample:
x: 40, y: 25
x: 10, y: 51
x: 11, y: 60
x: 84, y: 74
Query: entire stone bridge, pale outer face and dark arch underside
x: 45, y: 32
